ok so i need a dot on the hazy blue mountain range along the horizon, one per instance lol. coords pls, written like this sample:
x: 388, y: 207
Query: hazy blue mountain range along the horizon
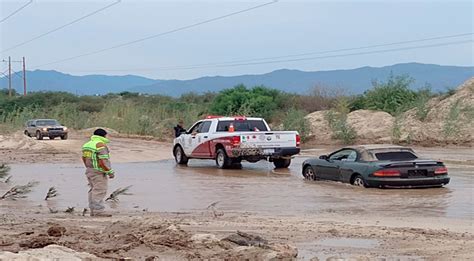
x: 355, y: 81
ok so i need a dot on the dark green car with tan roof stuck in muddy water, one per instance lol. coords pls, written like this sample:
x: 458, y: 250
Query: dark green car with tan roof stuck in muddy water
x: 377, y: 166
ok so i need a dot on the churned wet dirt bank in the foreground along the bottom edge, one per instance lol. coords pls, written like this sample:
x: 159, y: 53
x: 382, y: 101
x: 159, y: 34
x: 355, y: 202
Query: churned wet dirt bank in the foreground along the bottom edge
x: 192, y: 236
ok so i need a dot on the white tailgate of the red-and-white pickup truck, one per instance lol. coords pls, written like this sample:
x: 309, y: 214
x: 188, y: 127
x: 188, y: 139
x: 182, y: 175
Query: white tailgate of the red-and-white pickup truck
x: 271, y: 139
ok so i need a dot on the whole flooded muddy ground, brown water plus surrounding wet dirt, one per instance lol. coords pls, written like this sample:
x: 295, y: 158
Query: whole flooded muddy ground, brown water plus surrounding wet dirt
x: 168, y: 216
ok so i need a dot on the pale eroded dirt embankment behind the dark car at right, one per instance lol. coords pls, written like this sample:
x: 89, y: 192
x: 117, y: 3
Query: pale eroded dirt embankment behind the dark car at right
x: 441, y: 120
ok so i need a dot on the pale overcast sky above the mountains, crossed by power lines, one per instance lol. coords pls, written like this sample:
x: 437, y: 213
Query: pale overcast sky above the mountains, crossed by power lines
x: 279, y: 29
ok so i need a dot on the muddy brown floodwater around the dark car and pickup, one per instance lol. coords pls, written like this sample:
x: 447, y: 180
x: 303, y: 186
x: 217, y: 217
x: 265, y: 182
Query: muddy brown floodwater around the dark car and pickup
x: 163, y: 186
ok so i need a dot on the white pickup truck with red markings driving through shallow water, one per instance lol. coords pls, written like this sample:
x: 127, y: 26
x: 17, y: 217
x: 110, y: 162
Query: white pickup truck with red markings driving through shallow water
x: 229, y: 140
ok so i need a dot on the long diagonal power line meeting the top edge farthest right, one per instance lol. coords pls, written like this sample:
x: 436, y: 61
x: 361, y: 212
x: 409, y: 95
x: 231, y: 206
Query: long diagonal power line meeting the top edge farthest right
x: 160, y: 34
